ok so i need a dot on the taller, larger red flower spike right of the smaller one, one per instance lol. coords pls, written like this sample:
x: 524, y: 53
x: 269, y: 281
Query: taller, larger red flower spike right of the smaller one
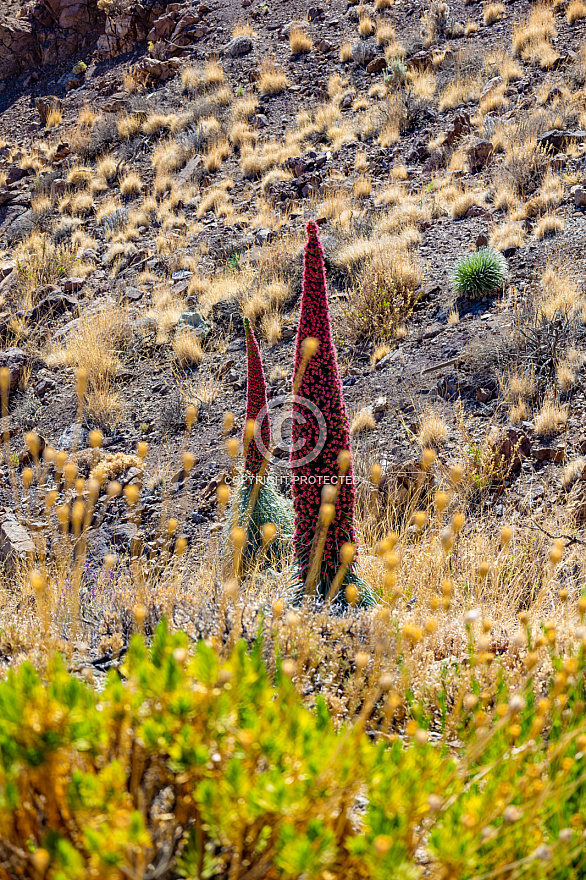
x: 321, y: 385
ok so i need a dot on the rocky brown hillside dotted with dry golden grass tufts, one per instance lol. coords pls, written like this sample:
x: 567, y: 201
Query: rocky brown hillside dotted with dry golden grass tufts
x: 157, y: 167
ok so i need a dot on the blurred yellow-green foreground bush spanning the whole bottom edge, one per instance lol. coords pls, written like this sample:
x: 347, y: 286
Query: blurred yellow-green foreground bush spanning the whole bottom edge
x: 188, y: 768
